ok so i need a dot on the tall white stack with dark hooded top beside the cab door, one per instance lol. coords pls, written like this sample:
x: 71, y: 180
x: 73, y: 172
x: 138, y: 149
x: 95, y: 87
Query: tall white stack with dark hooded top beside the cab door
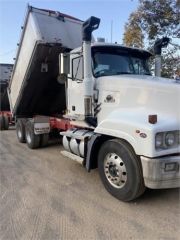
x: 88, y: 27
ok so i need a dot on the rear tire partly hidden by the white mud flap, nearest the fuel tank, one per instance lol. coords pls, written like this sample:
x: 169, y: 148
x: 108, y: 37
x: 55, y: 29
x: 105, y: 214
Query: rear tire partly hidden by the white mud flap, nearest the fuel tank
x: 32, y: 140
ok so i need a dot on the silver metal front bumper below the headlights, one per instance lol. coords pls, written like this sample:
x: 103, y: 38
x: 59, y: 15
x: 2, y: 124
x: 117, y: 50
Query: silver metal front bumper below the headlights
x: 161, y: 172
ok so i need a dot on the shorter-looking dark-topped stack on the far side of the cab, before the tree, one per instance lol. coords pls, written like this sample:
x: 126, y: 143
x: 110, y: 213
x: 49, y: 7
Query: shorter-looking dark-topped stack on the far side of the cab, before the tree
x: 159, y: 44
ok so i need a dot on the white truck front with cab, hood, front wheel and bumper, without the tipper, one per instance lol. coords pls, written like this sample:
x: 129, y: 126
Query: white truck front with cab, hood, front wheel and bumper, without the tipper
x: 135, y: 119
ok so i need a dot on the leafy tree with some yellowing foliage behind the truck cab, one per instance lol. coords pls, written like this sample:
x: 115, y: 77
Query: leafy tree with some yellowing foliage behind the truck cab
x: 156, y: 19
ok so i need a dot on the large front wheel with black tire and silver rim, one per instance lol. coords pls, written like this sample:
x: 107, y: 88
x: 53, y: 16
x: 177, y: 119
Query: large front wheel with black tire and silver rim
x: 120, y: 170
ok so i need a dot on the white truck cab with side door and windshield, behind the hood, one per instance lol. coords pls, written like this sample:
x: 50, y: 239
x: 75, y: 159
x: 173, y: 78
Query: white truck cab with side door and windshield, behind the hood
x: 107, y: 60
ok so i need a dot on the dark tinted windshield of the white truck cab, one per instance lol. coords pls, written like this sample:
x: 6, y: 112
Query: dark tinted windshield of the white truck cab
x: 109, y: 61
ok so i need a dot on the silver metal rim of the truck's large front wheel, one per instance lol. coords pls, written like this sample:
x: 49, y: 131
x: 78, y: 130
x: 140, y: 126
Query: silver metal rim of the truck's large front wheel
x: 115, y: 170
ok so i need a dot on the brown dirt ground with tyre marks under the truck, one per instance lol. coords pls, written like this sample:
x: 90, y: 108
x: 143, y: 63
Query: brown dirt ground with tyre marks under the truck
x: 44, y: 195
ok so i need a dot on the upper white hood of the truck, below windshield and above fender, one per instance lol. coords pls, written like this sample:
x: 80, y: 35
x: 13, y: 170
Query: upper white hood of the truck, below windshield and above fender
x: 153, y: 95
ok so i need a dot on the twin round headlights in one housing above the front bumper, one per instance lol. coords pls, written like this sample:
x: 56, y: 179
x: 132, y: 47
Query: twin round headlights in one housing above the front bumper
x: 165, y: 140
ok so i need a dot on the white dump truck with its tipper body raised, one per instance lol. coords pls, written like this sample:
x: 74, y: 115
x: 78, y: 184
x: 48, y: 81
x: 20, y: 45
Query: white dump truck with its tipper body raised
x: 112, y: 114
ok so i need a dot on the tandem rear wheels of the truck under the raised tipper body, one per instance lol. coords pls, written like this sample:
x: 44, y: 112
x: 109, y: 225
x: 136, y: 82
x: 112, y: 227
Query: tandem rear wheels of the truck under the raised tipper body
x: 25, y: 134
